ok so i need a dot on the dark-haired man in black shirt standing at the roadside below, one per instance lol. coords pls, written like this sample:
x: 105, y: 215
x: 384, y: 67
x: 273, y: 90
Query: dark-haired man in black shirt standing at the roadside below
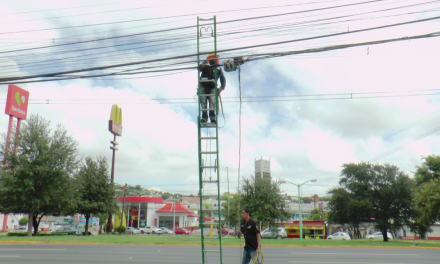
x: 249, y: 229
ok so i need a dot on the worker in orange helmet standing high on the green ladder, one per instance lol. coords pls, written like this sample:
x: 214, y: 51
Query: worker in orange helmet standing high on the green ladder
x: 208, y: 73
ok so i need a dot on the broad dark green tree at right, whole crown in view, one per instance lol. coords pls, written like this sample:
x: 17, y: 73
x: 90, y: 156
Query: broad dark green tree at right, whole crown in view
x: 370, y: 191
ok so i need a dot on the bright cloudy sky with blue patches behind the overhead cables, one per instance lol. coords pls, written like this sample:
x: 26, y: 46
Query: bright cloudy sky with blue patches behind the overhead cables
x: 308, y: 113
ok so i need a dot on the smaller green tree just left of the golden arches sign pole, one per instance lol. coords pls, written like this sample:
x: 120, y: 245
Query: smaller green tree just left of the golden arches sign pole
x: 95, y: 194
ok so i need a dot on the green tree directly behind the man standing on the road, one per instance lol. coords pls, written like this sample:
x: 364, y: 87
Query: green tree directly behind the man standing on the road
x: 264, y: 199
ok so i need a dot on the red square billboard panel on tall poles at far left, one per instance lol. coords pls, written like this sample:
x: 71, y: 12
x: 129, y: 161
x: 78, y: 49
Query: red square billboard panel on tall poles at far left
x: 17, y: 102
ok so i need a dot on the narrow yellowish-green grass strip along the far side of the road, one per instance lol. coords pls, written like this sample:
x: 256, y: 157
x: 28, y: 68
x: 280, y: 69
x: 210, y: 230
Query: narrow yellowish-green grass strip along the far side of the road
x: 195, y: 241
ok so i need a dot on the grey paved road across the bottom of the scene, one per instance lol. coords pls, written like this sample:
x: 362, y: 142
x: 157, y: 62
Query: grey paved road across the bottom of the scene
x: 85, y: 254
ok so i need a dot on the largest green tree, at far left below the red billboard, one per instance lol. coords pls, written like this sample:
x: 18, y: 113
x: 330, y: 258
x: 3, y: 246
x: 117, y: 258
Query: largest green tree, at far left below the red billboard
x: 37, y: 180
